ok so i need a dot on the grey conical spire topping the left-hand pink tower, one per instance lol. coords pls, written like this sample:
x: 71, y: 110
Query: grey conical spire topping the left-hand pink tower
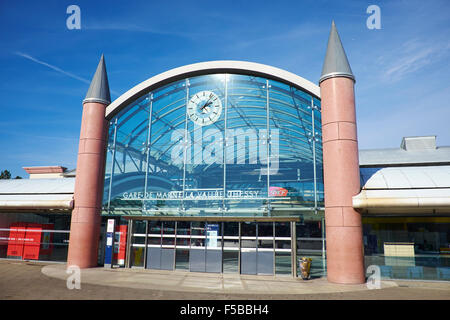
x: 99, y: 88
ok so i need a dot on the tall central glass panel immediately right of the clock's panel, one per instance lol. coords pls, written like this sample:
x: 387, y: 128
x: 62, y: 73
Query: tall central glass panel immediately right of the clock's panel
x: 246, y: 150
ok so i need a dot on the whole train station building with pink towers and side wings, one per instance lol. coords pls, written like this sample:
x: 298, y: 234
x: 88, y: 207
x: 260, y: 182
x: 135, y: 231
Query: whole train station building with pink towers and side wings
x: 235, y: 167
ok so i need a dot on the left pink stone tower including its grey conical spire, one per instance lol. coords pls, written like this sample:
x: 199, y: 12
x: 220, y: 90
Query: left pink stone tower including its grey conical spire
x: 86, y: 216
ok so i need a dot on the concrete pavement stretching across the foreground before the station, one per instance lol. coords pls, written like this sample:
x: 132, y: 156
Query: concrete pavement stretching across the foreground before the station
x: 44, y: 281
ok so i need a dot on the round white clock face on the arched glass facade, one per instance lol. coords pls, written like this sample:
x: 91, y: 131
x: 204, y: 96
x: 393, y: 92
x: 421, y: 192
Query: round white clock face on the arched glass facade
x: 204, y: 108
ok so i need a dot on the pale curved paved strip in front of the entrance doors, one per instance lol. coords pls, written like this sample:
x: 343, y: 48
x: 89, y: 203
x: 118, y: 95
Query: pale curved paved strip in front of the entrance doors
x: 182, y: 281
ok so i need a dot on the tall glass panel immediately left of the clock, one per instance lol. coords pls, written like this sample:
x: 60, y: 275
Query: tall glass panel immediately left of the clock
x: 165, y: 165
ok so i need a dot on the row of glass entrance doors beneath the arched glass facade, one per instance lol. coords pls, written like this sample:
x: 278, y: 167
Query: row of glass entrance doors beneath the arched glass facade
x: 262, y: 246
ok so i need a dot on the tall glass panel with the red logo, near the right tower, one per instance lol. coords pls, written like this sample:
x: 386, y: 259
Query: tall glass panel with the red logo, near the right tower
x: 292, y: 177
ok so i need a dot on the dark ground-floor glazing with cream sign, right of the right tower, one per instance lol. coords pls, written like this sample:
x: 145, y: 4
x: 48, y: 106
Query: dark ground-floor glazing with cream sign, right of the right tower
x: 408, y: 248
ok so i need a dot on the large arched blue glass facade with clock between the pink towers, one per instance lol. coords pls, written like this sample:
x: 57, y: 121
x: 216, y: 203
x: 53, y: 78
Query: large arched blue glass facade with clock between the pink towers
x: 216, y: 145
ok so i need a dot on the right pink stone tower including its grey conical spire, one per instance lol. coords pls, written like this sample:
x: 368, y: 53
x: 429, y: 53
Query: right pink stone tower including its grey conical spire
x: 345, y: 256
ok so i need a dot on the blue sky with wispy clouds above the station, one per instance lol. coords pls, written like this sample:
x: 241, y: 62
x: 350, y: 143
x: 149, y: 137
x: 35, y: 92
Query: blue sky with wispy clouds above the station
x: 402, y: 70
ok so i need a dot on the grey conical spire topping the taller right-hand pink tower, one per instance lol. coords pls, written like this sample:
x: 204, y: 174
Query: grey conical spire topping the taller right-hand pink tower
x: 336, y: 62
